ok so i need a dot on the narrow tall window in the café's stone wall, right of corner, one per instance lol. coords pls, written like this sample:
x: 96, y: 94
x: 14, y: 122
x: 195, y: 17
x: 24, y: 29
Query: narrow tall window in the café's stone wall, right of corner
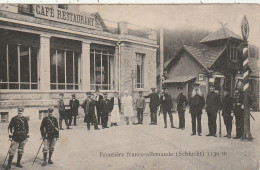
x: 139, y: 70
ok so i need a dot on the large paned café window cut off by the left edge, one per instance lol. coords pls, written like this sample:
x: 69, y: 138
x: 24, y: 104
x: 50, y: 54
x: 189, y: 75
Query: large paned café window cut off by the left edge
x: 18, y: 67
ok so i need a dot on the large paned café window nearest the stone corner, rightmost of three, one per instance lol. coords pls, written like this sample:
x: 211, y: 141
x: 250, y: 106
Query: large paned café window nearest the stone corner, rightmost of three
x: 101, y: 70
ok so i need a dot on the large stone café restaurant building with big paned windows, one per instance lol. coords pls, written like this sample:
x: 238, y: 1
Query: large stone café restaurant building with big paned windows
x: 48, y: 49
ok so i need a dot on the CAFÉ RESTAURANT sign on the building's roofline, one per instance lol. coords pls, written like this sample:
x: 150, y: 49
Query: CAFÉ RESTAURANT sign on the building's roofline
x: 61, y: 15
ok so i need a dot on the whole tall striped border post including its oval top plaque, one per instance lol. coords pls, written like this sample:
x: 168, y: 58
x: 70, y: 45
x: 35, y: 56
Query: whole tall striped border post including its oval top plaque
x: 245, y: 32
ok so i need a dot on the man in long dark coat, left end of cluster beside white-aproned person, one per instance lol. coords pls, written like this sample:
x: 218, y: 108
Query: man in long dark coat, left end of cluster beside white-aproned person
x: 89, y: 110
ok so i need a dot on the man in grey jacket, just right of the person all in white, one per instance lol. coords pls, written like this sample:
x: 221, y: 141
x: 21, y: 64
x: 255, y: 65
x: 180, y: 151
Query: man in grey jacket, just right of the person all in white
x: 140, y: 107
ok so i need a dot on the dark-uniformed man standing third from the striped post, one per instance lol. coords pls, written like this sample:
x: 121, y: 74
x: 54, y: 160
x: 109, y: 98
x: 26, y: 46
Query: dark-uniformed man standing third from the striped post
x: 212, y: 107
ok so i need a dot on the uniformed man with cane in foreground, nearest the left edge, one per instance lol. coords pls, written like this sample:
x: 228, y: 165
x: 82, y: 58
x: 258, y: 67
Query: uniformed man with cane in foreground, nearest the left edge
x: 18, y: 133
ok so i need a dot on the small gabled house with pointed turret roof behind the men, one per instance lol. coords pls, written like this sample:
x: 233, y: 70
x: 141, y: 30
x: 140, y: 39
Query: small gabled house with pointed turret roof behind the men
x: 219, y: 62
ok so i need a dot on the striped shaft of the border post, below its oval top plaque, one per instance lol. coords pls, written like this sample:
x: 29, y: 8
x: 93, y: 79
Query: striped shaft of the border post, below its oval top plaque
x: 247, y: 134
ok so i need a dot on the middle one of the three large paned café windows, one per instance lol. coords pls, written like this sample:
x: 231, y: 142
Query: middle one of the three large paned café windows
x: 64, y: 69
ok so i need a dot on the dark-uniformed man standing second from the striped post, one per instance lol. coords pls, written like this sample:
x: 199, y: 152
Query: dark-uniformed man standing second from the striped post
x: 227, y: 108
